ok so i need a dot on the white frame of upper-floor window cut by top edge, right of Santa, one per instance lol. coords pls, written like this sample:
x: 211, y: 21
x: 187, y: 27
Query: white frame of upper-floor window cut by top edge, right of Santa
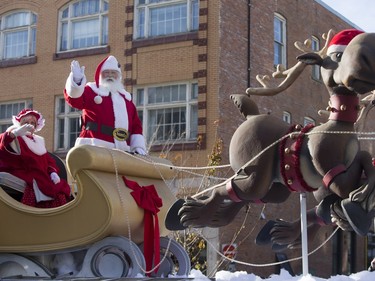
x: 143, y: 10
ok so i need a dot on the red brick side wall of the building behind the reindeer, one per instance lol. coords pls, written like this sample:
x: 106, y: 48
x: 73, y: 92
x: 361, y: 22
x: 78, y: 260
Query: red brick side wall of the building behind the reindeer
x: 304, y: 98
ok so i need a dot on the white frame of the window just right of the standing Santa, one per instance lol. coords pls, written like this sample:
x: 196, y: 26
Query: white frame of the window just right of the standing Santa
x: 190, y: 104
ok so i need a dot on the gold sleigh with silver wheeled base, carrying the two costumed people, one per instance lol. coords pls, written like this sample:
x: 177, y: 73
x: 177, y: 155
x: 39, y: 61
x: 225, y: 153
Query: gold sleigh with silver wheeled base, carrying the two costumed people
x: 101, y: 226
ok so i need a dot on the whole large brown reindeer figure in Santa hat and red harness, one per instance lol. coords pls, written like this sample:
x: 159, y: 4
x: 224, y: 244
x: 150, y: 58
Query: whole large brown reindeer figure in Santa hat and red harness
x: 324, y: 159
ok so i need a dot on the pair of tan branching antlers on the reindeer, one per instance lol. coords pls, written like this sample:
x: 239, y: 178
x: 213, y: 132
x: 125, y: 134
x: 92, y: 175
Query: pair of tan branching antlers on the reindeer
x: 290, y: 75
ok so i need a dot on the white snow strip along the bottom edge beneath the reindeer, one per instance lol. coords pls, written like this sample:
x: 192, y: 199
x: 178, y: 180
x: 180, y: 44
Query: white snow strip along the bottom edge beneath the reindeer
x: 284, y: 276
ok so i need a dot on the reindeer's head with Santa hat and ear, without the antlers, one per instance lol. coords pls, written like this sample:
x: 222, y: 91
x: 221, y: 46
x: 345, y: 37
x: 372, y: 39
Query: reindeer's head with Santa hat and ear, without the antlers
x: 349, y: 66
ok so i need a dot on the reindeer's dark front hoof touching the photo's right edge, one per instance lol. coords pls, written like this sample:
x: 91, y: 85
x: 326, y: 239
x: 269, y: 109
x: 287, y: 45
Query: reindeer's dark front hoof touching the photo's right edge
x: 358, y: 218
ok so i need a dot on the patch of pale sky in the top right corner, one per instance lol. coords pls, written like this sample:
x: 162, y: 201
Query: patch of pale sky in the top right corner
x: 359, y: 12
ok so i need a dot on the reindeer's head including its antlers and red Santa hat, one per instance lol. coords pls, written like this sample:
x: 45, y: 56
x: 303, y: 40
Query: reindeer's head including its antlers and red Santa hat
x: 348, y: 69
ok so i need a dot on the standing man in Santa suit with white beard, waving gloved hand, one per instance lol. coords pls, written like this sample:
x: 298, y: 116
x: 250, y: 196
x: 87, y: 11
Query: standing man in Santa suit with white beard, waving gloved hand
x: 109, y: 117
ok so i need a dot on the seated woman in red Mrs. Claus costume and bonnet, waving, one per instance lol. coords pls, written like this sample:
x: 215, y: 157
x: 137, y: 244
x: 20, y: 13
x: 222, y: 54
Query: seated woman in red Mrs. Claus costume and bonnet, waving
x: 24, y: 155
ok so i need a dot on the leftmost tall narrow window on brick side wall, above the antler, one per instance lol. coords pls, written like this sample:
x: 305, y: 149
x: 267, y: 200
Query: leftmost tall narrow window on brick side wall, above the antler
x: 279, y: 29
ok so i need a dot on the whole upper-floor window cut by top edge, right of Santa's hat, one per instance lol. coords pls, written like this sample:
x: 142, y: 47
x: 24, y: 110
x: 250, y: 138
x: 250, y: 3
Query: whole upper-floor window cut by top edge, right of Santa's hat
x: 163, y: 17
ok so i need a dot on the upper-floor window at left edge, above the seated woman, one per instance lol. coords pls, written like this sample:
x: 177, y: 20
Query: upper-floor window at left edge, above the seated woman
x: 18, y: 35
